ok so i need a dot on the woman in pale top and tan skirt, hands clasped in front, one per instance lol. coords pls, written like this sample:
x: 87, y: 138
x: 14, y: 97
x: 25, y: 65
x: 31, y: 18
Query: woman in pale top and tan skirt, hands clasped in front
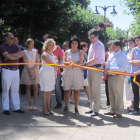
x: 30, y: 73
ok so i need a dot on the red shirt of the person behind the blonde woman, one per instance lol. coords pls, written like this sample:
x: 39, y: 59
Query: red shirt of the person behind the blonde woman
x: 59, y: 54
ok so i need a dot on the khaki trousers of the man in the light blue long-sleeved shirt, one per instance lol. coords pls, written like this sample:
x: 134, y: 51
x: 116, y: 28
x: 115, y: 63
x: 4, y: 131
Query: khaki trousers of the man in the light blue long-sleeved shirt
x: 116, y: 87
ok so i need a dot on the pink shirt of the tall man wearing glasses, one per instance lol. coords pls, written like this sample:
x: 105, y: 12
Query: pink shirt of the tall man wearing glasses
x: 97, y: 50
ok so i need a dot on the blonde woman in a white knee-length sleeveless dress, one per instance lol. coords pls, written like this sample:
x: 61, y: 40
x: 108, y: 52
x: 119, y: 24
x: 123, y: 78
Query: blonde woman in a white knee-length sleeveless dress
x: 47, y: 75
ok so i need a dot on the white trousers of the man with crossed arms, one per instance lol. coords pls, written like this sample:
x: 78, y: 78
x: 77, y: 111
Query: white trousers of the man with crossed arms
x: 10, y: 81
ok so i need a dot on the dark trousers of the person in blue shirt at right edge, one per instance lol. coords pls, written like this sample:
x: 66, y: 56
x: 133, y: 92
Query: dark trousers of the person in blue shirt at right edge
x: 135, y: 89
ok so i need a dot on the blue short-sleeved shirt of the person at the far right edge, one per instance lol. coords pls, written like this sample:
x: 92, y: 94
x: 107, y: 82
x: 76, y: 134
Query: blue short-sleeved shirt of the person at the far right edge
x: 136, y: 56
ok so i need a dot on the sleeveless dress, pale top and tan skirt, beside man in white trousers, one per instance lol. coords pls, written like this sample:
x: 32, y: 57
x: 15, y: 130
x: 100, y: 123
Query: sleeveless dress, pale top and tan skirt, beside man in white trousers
x: 25, y: 76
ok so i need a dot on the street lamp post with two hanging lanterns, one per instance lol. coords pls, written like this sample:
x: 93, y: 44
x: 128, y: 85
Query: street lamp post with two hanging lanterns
x: 113, y: 13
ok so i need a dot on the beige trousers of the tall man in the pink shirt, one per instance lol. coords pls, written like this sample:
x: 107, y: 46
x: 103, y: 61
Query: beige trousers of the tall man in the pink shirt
x: 94, y: 80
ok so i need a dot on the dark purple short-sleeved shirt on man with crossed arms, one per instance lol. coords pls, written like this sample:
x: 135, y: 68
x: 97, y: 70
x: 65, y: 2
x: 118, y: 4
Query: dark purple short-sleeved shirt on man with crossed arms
x: 13, y: 49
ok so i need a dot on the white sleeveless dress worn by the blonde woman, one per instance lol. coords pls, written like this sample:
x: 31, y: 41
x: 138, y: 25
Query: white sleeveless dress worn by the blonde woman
x: 47, y: 75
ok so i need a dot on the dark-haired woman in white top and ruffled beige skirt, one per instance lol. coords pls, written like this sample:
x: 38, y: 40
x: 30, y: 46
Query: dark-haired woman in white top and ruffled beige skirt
x: 72, y: 77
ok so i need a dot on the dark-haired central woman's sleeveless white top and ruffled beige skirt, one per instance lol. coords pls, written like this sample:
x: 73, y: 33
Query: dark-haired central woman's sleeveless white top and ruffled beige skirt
x: 72, y: 78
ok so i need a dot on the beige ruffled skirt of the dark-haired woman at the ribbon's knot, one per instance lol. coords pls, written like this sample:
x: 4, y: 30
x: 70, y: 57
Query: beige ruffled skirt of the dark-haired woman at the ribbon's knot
x: 72, y: 78
